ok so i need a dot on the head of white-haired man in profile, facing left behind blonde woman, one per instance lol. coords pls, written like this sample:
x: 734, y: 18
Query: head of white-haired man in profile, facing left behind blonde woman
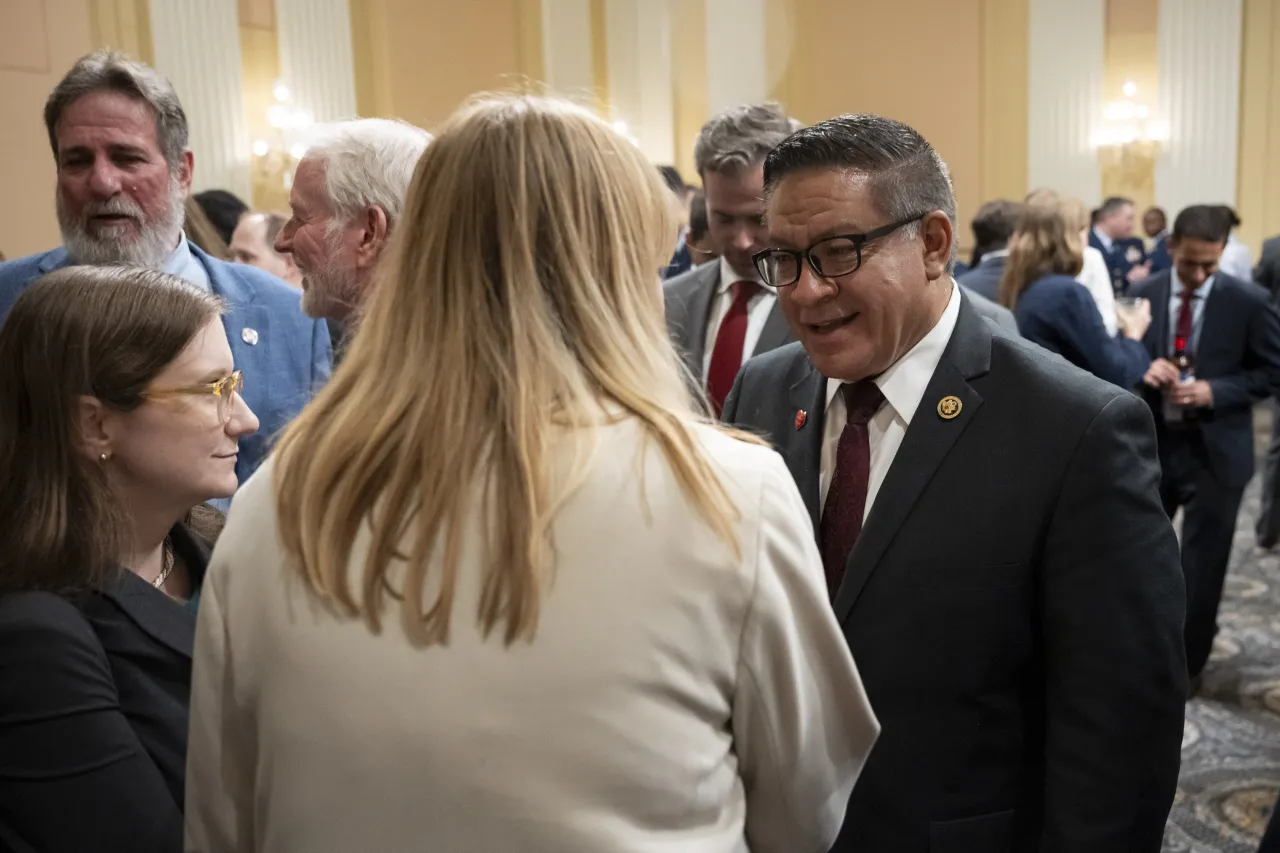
x: 348, y: 198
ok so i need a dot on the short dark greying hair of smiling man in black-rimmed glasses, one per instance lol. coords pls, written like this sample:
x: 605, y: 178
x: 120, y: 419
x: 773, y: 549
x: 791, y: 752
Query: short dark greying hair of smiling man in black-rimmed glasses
x: 908, y: 179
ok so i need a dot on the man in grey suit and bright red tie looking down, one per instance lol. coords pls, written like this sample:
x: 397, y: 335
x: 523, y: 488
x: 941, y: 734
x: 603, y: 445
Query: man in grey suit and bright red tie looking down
x: 720, y: 314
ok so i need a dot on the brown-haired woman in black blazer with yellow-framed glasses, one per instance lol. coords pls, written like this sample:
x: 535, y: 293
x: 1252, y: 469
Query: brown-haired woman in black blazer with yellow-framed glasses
x: 120, y: 412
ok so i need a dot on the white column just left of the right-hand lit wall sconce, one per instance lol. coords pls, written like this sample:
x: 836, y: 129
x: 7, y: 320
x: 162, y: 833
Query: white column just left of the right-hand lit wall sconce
x: 1064, y: 65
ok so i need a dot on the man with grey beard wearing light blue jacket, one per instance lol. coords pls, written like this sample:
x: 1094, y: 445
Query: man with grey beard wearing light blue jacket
x: 120, y: 140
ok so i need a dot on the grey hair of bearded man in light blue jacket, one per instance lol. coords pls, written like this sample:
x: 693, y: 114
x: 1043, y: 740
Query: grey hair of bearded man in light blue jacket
x: 108, y: 71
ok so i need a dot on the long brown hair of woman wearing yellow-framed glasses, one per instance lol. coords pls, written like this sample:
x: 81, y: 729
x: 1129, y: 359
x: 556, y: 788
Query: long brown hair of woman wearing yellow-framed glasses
x: 83, y: 331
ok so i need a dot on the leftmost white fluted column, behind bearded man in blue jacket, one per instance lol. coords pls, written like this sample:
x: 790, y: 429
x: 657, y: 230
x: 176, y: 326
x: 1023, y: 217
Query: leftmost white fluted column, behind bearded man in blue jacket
x: 196, y: 45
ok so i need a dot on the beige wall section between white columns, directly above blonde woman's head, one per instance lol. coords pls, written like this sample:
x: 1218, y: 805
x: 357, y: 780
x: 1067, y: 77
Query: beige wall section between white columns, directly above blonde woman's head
x: 420, y: 60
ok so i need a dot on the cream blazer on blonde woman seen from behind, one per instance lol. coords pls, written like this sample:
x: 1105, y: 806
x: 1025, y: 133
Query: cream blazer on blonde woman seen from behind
x: 674, y: 699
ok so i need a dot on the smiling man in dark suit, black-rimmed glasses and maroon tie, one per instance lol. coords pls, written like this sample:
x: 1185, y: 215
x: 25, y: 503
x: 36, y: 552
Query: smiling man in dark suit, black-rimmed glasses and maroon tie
x: 989, y: 519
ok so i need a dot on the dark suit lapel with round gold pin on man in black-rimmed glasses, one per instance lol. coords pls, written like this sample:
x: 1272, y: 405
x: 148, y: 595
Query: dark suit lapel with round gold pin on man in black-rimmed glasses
x: 927, y: 443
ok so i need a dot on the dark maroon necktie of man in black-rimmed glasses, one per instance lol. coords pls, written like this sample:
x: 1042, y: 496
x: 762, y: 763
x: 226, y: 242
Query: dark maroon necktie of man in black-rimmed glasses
x: 847, y: 496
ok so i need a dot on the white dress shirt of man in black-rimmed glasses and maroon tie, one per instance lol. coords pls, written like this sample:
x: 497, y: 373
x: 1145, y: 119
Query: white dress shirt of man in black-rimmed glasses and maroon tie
x: 903, y: 386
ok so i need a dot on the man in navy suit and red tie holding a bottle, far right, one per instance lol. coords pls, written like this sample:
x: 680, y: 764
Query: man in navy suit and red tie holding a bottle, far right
x: 1231, y: 335
